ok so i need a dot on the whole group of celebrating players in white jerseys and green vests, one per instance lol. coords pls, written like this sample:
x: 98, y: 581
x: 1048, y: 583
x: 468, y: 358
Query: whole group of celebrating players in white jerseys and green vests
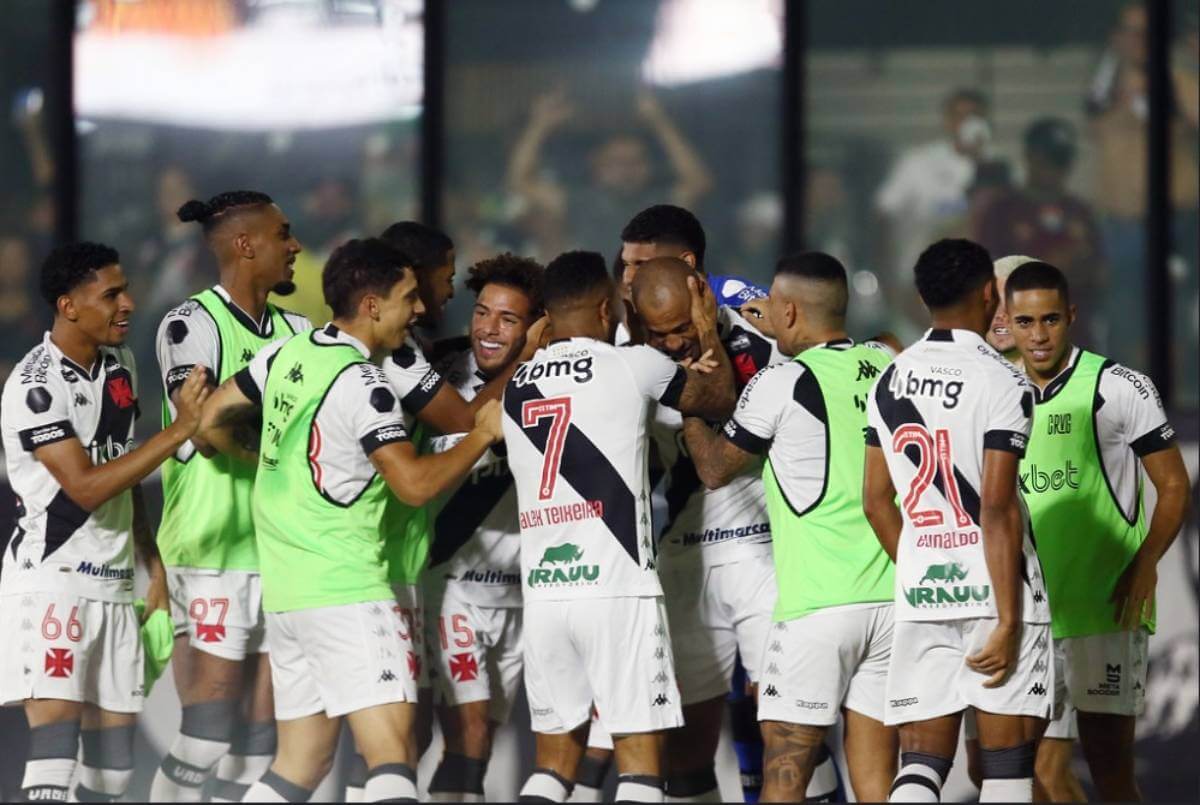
x: 362, y: 524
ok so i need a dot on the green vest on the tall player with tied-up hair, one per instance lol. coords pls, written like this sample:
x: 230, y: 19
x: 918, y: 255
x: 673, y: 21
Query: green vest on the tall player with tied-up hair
x: 206, y: 508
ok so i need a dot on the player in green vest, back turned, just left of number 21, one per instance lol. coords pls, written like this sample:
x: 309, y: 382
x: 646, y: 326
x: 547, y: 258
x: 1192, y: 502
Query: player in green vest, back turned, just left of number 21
x: 829, y: 650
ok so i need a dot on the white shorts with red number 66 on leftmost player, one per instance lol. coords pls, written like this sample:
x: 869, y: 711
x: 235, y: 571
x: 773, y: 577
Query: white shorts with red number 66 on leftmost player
x: 68, y: 647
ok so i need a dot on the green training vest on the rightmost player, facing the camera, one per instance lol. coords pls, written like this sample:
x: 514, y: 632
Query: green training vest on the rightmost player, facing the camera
x: 1083, y: 538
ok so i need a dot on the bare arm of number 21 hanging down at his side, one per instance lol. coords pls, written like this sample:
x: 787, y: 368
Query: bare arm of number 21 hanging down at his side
x: 1000, y: 520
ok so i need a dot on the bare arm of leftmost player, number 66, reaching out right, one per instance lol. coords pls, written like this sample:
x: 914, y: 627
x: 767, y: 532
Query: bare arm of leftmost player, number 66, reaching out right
x: 91, y: 485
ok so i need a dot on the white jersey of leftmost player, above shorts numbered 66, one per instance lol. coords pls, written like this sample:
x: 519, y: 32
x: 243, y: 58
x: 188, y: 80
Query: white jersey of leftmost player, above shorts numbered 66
x: 58, y: 545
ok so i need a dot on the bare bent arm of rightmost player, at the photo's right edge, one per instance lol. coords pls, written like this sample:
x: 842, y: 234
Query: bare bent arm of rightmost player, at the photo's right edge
x: 1135, y: 592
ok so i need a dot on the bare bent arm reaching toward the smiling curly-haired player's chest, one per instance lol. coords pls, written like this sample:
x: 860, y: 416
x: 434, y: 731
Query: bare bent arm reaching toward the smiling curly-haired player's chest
x: 417, y: 479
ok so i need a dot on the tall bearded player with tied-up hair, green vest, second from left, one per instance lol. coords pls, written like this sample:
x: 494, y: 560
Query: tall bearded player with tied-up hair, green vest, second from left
x: 207, y: 536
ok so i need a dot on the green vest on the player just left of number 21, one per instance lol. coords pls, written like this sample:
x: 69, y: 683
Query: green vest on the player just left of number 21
x: 829, y: 555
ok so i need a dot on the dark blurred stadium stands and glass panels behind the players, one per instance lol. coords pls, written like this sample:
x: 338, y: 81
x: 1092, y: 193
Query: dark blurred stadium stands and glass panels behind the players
x: 796, y: 111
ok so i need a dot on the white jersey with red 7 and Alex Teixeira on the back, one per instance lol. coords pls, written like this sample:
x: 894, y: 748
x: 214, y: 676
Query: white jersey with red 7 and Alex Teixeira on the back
x: 575, y: 429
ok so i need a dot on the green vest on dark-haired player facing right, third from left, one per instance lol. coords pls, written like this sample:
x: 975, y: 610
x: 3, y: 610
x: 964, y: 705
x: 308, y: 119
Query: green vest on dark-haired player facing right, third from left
x: 314, y: 551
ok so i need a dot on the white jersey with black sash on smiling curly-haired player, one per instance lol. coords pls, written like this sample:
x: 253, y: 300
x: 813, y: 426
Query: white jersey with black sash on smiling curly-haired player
x: 477, y: 544
